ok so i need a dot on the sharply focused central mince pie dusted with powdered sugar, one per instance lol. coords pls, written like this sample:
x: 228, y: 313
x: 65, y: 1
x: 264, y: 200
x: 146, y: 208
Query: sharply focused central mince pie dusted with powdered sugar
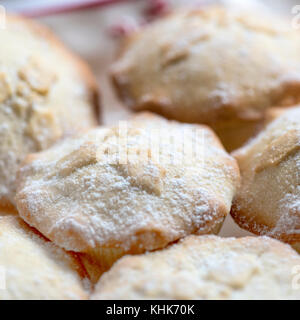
x: 84, y: 196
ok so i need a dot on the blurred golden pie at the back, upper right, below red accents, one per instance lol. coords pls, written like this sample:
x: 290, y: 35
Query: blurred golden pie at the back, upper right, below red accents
x: 216, y: 66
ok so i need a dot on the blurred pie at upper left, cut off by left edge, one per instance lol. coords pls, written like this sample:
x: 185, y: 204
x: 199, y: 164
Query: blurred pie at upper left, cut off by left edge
x: 46, y: 93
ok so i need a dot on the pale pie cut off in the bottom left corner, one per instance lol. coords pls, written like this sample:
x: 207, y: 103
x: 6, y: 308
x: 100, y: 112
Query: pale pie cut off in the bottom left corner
x: 33, y: 268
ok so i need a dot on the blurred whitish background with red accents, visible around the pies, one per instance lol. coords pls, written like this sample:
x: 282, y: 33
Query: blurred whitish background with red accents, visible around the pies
x: 95, y: 28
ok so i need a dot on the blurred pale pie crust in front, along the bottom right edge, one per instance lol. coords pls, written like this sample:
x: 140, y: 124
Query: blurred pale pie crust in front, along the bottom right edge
x: 205, y: 267
